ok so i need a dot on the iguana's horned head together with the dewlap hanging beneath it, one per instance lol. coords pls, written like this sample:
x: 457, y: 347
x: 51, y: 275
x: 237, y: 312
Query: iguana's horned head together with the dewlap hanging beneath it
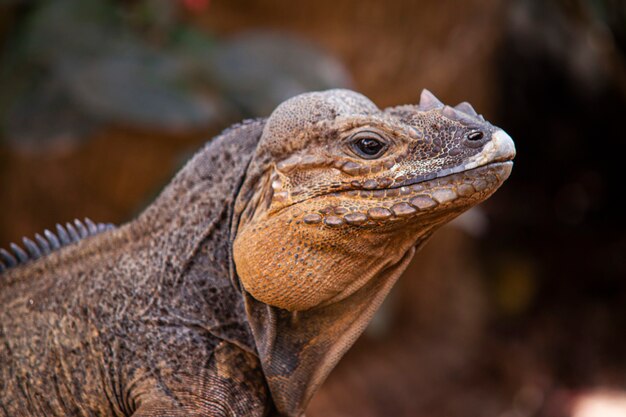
x: 336, y: 199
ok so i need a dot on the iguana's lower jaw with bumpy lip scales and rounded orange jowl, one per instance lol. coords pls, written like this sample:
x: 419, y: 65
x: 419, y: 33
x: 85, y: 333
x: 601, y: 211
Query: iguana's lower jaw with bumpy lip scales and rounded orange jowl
x: 317, y: 253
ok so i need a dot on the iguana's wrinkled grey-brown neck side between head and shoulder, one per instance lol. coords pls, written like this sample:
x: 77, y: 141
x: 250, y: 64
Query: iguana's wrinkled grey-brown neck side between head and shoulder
x: 188, y: 228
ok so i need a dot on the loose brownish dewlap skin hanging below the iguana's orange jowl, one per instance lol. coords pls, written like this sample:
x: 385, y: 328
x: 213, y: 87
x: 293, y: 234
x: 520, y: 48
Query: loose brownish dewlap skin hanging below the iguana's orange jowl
x: 299, y: 349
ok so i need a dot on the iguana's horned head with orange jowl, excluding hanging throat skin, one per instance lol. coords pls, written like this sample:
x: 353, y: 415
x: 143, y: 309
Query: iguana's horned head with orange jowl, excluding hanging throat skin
x: 343, y: 190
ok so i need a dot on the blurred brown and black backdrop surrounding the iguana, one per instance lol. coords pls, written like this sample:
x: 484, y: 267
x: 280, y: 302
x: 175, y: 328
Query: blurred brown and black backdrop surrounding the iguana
x: 517, y: 309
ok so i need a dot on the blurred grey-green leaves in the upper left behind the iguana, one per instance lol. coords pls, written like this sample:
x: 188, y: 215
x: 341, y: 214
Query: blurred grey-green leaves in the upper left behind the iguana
x: 69, y: 66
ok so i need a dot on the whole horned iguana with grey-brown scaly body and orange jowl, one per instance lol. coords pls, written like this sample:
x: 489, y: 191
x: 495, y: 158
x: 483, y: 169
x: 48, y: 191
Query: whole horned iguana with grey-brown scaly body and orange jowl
x: 237, y: 291
